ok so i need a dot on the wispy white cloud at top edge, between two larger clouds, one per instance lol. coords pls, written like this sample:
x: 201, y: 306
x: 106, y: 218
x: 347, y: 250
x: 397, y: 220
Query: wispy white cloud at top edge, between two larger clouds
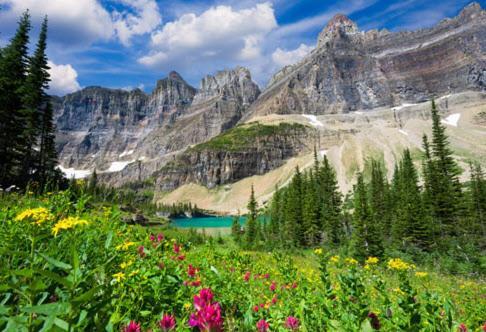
x: 145, y: 20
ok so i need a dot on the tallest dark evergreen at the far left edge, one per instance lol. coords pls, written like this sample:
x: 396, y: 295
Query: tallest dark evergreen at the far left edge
x: 13, y: 122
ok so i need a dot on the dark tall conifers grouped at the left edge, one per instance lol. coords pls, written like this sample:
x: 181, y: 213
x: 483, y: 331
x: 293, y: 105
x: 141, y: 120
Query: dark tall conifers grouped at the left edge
x: 27, y: 131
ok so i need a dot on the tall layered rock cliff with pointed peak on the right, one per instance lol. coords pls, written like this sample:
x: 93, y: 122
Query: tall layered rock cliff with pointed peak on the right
x: 352, y: 70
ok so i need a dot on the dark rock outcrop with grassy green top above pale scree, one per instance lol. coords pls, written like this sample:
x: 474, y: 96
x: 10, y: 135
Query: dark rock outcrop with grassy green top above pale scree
x: 243, y: 151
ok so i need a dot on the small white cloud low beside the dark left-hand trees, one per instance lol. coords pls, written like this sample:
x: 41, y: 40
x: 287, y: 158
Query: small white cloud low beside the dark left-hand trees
x: 63, y: 79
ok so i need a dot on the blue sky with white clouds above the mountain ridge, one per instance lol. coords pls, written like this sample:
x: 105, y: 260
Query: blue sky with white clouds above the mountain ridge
x: 133, y: 43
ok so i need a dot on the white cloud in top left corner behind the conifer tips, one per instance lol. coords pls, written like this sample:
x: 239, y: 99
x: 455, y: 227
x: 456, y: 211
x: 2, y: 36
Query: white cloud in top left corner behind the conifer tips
x: 70, y: 21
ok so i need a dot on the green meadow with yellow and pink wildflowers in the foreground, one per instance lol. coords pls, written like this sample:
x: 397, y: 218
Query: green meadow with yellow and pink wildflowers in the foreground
x: 68, y: 267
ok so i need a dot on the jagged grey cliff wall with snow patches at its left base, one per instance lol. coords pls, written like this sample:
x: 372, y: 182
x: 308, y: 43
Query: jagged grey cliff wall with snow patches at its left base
x: 110, y: 129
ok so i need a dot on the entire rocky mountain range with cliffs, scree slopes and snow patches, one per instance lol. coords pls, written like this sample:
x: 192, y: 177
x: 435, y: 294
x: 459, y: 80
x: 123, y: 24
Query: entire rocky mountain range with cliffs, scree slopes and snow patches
x: 357, y: 95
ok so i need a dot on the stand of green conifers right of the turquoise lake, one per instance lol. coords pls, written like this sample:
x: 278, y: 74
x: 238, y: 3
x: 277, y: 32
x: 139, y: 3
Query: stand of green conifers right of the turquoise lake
x: 415, y: 212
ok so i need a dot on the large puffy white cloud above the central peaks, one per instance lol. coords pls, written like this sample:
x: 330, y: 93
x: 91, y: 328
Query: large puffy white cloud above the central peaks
x: 220, y: 33
